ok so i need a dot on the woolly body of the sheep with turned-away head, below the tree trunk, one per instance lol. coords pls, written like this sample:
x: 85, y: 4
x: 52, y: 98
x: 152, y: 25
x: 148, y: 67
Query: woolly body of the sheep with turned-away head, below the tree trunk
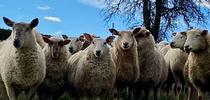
x: 152, y: 64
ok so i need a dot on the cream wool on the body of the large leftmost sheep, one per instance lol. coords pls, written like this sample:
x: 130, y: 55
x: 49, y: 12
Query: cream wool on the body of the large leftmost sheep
x: 22, y: 68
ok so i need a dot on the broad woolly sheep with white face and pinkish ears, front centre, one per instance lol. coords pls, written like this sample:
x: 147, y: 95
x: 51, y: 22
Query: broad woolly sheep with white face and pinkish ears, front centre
x: 95, y: 71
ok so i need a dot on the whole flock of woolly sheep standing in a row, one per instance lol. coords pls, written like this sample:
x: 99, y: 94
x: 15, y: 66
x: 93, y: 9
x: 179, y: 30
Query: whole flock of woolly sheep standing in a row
x: 89, y: 67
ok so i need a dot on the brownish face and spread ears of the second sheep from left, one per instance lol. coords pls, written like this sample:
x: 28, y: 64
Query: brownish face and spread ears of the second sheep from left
x: 56, y: 45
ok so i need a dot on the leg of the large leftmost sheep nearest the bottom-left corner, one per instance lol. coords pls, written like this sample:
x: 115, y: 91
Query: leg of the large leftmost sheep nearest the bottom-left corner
x: 11, y: 92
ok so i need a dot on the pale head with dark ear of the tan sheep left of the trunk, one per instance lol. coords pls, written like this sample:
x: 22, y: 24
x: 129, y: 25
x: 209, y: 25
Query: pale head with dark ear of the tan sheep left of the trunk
x: 125, y: 38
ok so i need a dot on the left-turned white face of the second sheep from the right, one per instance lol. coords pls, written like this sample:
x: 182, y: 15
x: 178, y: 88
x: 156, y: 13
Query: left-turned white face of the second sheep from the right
x: 178, y: 40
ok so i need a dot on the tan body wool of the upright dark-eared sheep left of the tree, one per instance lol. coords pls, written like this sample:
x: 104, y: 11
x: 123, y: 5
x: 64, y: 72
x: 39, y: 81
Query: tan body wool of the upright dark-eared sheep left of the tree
x: 126, y: 62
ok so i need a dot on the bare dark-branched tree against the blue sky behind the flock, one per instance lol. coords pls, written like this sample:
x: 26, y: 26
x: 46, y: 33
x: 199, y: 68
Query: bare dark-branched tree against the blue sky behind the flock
x: 158, y: 16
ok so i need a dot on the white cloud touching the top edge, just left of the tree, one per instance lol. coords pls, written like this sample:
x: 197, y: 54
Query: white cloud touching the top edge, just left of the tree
x: 94, y: 3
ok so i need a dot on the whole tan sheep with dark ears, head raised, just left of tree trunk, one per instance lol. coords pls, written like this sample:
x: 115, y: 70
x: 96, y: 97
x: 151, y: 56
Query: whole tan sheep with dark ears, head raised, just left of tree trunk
x: 125, y: 57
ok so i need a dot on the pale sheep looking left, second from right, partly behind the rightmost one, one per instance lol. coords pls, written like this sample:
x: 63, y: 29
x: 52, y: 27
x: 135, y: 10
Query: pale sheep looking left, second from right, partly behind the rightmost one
x: 175, y: 60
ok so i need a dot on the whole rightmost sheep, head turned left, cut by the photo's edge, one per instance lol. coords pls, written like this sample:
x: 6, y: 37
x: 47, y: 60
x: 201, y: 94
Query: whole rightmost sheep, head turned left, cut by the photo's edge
x: 198, y: 63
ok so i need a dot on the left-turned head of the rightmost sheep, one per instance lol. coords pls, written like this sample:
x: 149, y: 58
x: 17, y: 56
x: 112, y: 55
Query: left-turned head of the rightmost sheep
x: 196, y: 40
